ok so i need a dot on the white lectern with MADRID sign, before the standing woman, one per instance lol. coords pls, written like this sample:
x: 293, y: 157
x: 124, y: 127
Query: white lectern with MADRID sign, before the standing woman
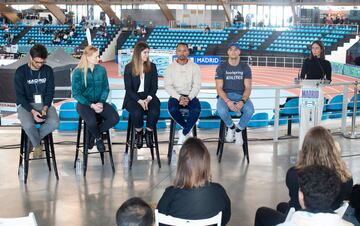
x: 311, y: 105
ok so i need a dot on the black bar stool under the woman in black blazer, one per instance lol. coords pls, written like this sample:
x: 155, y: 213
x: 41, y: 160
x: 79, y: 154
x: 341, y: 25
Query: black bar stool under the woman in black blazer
x: 130, y: 143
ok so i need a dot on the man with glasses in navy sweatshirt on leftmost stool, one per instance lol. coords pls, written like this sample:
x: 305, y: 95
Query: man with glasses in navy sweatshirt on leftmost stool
x: 35, y: 88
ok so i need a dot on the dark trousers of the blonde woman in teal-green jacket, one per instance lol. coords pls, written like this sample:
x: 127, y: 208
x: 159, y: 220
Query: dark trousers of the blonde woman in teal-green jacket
x: 109, y: 118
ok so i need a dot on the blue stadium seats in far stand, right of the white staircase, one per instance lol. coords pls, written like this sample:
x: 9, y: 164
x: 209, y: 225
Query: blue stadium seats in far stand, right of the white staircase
x: 293, y: 40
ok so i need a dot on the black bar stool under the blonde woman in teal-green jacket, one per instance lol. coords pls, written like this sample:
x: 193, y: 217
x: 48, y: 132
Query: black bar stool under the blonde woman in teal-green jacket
x: 86, y: 137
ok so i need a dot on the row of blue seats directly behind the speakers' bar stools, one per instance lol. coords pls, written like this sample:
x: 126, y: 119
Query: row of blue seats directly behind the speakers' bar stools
x: 209, y: 118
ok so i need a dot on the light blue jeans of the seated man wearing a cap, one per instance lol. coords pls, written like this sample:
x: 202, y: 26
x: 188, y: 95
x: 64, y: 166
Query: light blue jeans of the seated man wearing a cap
x: 224, y: 112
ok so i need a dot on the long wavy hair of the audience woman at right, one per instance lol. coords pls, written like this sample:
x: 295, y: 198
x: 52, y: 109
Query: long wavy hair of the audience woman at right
x: 319, y: 149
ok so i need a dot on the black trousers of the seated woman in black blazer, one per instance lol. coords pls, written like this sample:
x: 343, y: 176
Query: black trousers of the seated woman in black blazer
x: 137, y: 113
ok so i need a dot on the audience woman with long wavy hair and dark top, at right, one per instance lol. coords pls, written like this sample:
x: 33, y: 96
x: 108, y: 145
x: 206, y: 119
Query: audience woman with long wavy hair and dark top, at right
x: 319, y: 148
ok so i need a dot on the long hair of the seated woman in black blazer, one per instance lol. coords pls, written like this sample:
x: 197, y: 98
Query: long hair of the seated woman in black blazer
x: 136, y: 60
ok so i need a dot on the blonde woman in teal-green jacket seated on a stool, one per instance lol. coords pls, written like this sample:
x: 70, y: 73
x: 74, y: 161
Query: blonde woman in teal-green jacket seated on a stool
x: 90, y: 87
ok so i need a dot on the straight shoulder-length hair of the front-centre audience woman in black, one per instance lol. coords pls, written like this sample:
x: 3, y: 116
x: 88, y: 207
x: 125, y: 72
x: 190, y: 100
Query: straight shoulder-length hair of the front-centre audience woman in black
x: 193, y: 168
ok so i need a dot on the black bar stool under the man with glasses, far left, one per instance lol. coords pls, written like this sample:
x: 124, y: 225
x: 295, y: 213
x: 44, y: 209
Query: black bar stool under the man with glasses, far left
x: 25, y: 153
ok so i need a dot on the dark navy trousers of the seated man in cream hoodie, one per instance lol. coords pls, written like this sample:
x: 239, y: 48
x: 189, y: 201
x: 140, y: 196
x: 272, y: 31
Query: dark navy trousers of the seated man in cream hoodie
x: 194, y: 113
